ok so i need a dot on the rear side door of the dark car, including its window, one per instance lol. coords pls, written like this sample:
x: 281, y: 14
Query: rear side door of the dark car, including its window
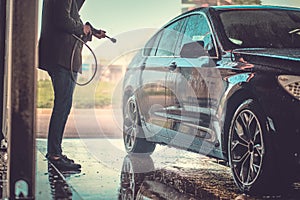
x: 154, y: 85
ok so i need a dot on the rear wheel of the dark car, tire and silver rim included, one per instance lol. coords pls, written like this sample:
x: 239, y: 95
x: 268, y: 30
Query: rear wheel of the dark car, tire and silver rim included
x: 133, y: 135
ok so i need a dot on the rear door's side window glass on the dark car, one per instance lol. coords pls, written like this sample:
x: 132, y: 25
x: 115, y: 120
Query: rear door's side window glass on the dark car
x: 170, y: 35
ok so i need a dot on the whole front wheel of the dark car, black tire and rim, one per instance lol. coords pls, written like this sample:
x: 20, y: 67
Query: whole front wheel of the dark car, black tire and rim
x: 251, y: 157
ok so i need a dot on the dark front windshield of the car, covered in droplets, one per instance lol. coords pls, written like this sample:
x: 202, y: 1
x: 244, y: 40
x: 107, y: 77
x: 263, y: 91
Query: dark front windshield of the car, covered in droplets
x: 261, y: 28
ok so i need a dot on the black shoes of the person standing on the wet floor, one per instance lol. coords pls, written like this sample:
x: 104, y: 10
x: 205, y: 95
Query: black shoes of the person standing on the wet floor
x: 63, y: 164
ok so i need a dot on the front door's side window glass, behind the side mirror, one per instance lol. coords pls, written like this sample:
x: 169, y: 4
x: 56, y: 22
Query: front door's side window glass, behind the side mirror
x: 198, y: 30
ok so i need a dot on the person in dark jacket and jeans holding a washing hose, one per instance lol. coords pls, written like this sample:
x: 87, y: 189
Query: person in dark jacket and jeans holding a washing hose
x: 61, y: 19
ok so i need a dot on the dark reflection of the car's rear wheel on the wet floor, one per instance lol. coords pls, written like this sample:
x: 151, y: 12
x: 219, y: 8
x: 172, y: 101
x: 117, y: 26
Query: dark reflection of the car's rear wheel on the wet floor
x: 138, y: 181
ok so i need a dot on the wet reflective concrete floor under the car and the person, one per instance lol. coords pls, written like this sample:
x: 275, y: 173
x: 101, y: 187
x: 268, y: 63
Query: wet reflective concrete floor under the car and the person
x: 109, y: 173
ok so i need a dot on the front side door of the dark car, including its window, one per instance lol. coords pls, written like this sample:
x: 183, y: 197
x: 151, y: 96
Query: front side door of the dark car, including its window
x: 195, y: 87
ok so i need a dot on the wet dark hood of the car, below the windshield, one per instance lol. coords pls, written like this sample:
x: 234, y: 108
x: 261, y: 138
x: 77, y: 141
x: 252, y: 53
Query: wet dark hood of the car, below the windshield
x: 285, y: 59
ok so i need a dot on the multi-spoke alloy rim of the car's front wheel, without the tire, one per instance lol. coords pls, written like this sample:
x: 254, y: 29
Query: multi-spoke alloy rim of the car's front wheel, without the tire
x: 247, y: 150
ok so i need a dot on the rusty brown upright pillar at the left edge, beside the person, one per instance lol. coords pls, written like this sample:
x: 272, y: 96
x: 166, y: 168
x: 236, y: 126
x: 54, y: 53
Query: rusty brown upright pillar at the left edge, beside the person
x: 21, y: 139
